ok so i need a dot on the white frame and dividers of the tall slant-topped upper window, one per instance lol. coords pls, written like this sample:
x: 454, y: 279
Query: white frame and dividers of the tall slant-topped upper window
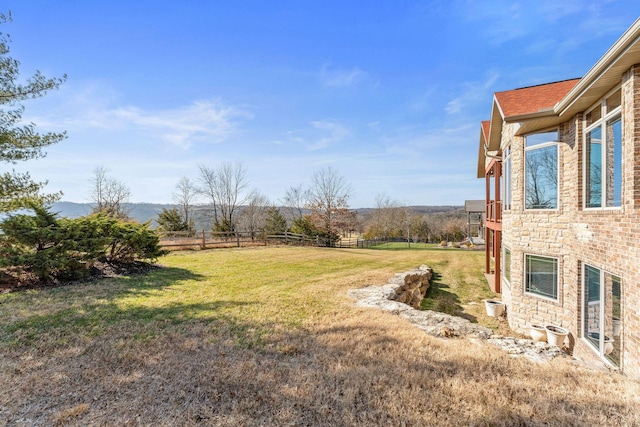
x: 602, y: 122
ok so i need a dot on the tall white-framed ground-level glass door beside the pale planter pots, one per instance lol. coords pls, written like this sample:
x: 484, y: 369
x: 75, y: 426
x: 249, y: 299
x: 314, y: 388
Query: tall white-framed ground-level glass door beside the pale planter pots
x: 601, y: 312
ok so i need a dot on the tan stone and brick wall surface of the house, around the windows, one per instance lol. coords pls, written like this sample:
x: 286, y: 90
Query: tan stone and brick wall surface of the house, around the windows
x: 607, y: 239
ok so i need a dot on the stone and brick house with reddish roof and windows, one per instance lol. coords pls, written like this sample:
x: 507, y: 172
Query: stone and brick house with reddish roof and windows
x: 562, y: 168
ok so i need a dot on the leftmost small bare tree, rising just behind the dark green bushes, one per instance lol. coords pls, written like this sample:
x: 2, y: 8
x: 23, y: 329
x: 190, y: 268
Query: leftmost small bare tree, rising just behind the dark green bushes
x: 109, y: 194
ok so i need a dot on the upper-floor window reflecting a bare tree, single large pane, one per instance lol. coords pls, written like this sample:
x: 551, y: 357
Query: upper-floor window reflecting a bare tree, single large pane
x: 541, y: 171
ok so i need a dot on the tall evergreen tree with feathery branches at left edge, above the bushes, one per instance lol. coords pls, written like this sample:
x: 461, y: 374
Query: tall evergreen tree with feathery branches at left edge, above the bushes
x: 18, y: 141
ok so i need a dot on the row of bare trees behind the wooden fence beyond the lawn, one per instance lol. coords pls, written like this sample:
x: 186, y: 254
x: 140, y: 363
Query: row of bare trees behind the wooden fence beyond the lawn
x: 220, y: 199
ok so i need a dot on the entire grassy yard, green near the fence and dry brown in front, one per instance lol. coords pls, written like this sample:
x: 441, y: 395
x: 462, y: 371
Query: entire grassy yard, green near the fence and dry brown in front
x: 267, y: 336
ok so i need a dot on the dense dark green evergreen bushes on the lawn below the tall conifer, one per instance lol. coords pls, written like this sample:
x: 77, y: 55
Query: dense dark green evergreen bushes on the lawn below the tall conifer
x: 53, y: 248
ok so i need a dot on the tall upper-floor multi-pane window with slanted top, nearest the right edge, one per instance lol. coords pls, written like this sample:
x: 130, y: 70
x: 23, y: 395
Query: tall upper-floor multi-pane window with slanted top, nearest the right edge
x: 603, y: 154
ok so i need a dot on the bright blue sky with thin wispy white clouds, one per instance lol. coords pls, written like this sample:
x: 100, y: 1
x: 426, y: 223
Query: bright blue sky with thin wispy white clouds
x: 389, y: 93
